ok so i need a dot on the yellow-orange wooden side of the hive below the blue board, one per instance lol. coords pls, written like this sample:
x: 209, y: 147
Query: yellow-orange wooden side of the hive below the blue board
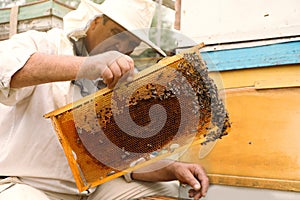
x: 262, y: 148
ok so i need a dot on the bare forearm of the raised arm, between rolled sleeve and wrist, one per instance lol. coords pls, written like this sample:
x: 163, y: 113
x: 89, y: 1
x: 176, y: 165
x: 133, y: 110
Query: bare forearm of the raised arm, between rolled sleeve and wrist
x: 42, y: 68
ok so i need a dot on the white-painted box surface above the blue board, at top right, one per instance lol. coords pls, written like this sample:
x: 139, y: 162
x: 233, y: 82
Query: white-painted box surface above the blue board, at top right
x: 219, y: 21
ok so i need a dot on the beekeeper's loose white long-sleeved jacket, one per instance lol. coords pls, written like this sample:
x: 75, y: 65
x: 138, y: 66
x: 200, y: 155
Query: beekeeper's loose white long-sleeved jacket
x: 29, y: 147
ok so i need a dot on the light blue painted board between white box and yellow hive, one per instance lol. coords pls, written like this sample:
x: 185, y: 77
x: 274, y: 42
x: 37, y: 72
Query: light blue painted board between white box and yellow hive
x: 251, y: 57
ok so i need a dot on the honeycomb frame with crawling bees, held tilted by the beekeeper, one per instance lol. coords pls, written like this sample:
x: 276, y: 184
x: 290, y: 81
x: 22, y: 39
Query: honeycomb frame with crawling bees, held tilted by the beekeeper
x: 162, y: 111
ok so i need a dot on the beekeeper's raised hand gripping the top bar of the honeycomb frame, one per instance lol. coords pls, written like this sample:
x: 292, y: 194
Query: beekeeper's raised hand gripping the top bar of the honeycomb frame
x: 110, y: 66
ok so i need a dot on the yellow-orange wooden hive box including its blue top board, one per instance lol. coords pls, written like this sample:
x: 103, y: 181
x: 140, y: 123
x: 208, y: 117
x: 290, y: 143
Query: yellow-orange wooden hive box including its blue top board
x: 262, y: 90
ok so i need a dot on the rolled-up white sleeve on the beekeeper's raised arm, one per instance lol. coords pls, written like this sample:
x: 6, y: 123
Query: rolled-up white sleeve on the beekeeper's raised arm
x: 14, y: 53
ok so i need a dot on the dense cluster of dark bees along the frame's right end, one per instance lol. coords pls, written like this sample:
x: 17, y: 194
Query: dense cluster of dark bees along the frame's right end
x: 213, y: 115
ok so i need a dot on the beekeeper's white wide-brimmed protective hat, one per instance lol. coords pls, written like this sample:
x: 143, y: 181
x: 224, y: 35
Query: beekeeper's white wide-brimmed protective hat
x: 133, y: 15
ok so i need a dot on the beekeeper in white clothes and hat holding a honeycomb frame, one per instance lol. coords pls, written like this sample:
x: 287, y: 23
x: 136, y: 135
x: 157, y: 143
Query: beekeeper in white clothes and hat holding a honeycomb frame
x: 41, y: 71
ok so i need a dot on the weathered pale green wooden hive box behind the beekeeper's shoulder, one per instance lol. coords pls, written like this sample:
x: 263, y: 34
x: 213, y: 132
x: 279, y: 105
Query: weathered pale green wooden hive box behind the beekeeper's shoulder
x: 40, y: 15
